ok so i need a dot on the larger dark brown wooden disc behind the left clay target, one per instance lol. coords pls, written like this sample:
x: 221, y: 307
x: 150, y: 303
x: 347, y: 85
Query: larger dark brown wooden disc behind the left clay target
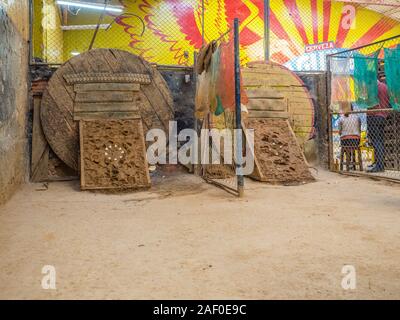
x: 155, y: 100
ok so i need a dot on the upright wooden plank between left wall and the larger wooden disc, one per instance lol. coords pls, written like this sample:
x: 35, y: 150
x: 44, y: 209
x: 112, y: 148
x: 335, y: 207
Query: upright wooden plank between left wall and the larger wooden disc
x: 40, y: 147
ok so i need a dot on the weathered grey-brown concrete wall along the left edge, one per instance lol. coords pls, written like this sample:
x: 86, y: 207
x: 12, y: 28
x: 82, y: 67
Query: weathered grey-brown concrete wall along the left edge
x: 14, y: 35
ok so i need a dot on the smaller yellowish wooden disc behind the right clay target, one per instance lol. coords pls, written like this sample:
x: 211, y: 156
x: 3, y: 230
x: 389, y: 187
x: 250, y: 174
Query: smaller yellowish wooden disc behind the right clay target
x: 275, y: 77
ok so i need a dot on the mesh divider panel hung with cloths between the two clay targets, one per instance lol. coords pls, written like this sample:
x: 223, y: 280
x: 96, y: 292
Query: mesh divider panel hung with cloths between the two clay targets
x: 216, y: 114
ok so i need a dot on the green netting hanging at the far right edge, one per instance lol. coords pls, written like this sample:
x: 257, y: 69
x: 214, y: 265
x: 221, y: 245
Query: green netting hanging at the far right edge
x: 392, y: 71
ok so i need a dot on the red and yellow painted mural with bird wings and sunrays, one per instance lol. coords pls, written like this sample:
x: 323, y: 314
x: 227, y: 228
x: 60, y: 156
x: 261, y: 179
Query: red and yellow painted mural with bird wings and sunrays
x: 173, y: 29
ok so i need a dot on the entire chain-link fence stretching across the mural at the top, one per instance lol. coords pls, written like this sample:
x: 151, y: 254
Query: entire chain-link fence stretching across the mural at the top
x: 296, y: 33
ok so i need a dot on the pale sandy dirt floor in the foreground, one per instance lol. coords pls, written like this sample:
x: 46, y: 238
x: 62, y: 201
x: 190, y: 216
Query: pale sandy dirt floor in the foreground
x: 187, y: 239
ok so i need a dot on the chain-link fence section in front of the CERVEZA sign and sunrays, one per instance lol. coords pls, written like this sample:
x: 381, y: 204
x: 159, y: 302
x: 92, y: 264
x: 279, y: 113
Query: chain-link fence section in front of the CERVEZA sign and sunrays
x: 304, y: 32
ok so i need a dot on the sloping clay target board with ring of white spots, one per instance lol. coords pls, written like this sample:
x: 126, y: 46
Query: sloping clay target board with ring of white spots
x: 113, y: 155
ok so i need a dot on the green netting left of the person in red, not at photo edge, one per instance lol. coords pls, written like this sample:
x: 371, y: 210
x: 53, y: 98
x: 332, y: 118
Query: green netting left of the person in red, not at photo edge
x: 365, y: 80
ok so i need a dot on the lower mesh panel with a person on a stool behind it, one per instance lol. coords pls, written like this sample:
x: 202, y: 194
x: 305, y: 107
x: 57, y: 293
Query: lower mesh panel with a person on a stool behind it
x: 374, y: 149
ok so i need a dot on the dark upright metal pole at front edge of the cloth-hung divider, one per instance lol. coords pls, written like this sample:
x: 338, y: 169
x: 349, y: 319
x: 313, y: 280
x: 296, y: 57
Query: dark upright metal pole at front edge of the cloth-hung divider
x: 238, y: 110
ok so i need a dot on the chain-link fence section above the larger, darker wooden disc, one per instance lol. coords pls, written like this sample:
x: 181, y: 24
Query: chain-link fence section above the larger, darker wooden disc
x: 152, y: 29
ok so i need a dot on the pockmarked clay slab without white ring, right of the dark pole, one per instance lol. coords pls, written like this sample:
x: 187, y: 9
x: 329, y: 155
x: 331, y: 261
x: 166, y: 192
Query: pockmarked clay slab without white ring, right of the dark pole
x: 279, y: 158
